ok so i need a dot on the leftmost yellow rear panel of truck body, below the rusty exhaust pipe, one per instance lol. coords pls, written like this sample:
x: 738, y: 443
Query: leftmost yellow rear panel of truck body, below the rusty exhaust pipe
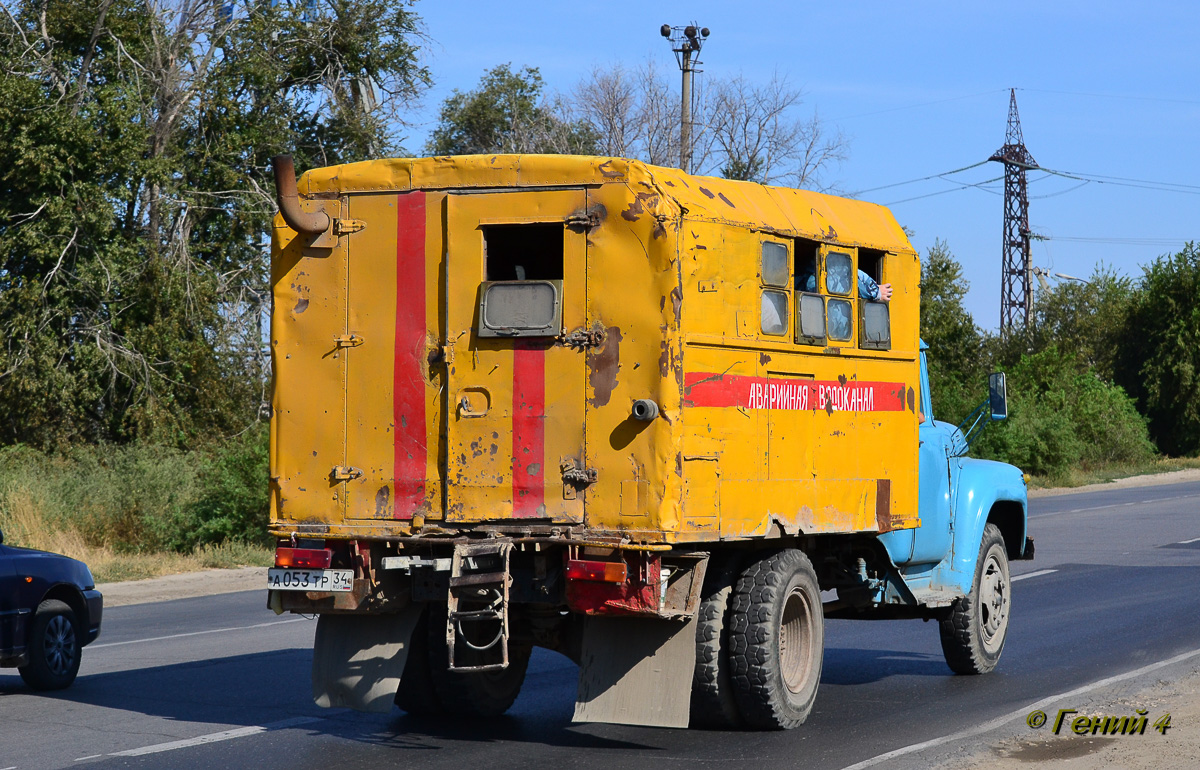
x: 309, y: 407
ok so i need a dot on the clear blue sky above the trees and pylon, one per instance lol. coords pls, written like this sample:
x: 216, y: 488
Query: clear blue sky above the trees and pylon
x: 920, y: 88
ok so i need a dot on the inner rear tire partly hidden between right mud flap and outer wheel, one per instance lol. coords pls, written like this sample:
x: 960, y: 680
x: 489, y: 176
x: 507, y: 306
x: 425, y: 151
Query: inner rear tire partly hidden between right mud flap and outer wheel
x: 713, y: 705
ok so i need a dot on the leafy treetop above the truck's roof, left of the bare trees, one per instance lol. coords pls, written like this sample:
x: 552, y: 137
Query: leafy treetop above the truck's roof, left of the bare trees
x: 508, y: 113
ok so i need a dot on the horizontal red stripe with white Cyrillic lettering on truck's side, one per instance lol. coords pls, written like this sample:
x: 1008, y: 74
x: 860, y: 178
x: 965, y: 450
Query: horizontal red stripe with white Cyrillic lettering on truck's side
x: 704, y: 389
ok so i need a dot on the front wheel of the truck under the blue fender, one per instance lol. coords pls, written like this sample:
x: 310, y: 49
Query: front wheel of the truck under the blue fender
x: 974, y: 633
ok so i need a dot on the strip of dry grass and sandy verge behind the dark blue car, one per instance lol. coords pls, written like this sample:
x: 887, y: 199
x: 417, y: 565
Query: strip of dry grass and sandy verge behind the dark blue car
x: 26, y: 524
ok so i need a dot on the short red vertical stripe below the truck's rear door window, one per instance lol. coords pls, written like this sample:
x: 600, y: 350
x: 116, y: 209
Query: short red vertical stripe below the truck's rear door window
x: 529, y: 430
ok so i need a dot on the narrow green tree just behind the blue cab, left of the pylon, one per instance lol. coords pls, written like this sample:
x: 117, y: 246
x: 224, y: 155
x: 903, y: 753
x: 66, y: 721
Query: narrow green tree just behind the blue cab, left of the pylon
x: 956, y: 363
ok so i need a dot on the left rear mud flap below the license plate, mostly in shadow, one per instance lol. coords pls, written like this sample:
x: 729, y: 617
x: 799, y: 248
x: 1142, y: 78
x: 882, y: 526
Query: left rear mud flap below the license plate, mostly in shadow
x: 358, y: 660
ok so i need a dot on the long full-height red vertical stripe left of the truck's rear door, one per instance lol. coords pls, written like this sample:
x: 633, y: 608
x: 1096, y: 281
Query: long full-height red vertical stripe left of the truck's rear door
x: 409, y: 386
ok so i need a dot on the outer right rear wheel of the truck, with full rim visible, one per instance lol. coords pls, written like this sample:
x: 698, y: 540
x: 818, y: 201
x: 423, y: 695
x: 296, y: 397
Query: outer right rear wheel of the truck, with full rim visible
x: 777, y: 639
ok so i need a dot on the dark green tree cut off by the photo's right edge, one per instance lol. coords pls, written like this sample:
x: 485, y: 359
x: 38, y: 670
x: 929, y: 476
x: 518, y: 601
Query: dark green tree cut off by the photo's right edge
x: 1161, y: 356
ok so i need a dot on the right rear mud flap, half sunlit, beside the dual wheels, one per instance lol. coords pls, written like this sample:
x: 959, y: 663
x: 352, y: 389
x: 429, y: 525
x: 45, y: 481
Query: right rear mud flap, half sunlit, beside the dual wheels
x: 637, y: 671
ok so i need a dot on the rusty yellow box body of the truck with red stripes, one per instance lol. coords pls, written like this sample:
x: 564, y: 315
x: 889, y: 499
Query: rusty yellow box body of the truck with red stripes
x: 393, y: 417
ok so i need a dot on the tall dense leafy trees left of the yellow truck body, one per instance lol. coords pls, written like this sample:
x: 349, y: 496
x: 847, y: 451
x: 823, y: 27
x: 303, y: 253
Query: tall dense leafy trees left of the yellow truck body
x: 135, y: 197
